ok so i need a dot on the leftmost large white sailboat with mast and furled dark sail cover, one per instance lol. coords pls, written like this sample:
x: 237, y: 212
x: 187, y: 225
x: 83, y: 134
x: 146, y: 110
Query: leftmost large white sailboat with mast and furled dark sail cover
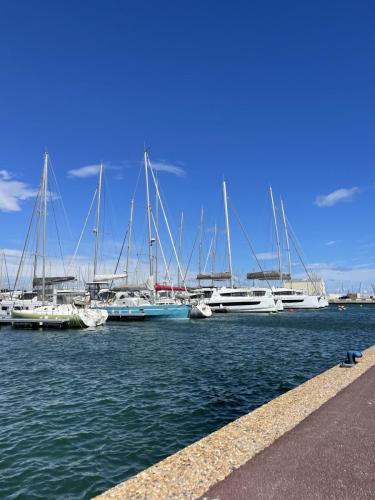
x: 76, y: 317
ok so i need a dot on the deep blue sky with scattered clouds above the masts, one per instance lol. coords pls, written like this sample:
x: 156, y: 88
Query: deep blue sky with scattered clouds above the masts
x: 256, y: 93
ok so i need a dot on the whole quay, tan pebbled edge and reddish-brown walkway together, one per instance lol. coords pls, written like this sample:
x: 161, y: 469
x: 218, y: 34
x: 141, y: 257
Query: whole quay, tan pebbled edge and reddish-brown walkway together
x: 320, y: 432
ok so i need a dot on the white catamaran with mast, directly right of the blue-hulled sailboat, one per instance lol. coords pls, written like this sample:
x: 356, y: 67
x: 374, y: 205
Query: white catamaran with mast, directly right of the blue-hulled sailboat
x: 231, y: 299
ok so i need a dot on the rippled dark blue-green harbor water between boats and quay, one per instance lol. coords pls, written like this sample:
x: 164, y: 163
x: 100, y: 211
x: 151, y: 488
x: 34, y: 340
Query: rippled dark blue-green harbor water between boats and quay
x: 81, y: 411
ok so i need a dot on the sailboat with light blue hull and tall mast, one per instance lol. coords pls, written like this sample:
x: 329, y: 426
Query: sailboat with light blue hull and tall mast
x: 128, y: 301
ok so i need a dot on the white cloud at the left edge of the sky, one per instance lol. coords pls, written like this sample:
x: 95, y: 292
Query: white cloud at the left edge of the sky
x: 12, y: 192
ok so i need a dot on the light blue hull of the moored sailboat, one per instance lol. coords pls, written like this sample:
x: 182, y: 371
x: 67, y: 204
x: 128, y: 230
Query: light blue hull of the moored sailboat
x: 167, y: 311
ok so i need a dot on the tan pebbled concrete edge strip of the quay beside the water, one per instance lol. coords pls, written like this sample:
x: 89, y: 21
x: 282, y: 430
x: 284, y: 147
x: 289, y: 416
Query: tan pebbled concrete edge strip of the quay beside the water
x: 192, y: 471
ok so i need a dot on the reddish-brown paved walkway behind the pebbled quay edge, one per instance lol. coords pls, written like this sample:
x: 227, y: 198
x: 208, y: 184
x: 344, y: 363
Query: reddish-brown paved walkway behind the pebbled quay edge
x: 329, y: 455
